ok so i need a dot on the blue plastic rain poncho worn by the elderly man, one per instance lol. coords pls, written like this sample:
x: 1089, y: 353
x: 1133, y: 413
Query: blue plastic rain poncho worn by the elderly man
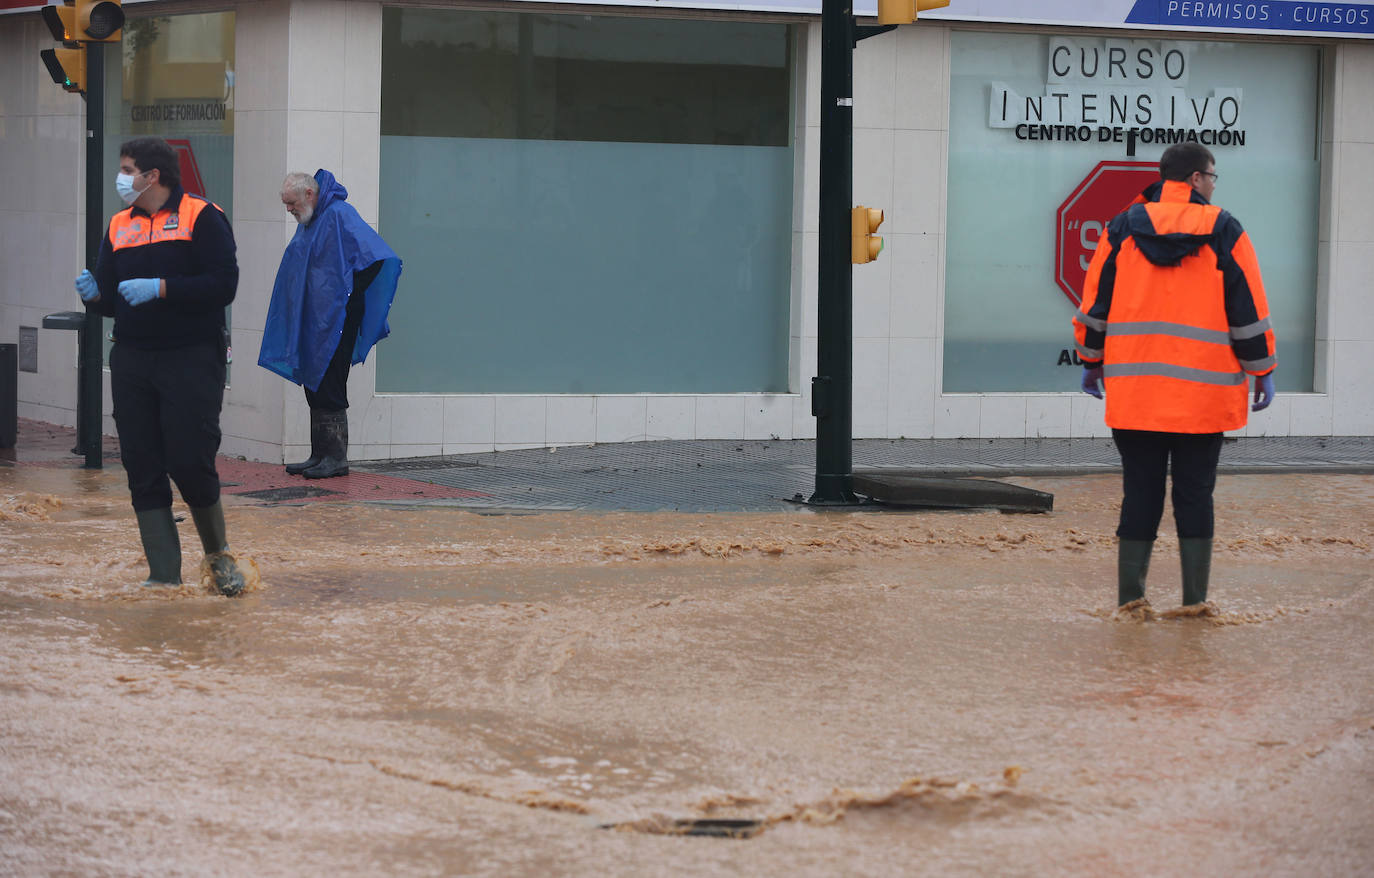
x: 306, y: 317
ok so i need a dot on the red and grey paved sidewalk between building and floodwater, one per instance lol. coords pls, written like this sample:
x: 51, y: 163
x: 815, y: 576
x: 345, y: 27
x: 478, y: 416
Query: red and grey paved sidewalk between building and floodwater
x: 685, y: 476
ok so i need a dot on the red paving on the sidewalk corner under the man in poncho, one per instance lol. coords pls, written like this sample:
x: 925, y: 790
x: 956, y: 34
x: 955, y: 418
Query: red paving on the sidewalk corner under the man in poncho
x: 50, y: 446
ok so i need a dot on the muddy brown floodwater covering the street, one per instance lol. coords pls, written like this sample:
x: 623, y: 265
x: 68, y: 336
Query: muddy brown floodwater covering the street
x: 423, y: 692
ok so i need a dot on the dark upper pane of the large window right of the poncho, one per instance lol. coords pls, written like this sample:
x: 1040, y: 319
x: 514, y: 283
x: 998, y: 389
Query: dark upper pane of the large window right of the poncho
x: 581, y: 78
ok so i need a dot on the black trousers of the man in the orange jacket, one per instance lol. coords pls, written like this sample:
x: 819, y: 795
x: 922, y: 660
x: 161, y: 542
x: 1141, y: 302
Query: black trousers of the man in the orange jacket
x: 1147, y: 462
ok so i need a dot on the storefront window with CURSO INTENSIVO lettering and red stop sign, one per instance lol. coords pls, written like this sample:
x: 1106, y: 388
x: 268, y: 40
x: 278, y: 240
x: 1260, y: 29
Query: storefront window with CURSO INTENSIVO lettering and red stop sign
x: 1034, y: 119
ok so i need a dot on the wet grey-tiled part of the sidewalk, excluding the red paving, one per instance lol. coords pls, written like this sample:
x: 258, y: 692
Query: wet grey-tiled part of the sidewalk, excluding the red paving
x: 758, y: 476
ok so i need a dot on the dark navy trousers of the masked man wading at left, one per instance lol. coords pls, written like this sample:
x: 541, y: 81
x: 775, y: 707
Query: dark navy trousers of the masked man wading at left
x: 167, y: 410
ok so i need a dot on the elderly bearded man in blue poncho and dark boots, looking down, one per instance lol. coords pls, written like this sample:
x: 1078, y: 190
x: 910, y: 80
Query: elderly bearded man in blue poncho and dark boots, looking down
x: 329, y: 307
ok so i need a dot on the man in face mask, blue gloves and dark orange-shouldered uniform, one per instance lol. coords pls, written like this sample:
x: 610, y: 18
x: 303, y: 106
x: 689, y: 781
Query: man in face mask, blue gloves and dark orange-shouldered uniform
x: 166, y: 274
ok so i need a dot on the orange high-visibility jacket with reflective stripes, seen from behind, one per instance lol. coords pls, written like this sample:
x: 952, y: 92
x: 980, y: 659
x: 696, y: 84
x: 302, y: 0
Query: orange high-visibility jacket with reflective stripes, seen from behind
x: 1174, y: 310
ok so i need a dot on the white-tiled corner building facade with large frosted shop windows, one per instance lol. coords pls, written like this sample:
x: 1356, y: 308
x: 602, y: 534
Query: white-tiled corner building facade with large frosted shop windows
x: 609, y: 215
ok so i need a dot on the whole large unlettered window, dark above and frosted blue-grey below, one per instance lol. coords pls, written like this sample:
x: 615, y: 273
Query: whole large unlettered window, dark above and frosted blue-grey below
x: 586, y: 205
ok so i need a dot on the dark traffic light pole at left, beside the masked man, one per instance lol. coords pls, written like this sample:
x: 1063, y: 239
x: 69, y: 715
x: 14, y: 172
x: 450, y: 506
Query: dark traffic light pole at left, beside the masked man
x: 89, y: 365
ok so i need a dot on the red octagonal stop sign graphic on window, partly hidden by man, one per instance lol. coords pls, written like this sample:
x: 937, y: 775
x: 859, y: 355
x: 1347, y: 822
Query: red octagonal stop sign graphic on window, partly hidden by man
x: 1085, y: 215
